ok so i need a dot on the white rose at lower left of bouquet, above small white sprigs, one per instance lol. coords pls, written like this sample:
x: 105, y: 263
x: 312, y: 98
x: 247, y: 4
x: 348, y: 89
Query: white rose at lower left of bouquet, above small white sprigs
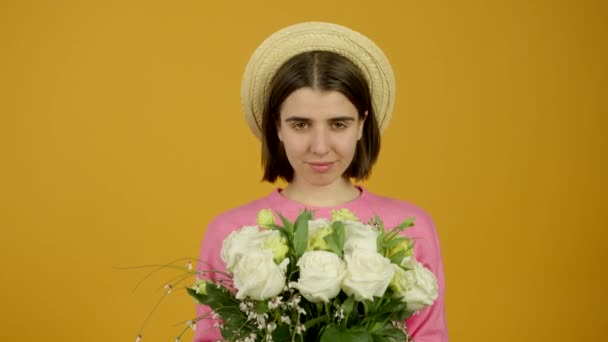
x: 258, y: 277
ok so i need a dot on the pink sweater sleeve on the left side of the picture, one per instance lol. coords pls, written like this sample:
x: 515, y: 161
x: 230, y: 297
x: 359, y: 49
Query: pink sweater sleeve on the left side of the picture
x: 209, y: 259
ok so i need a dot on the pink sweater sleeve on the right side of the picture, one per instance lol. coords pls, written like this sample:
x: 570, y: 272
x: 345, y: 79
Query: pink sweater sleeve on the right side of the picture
x: 429, y: 324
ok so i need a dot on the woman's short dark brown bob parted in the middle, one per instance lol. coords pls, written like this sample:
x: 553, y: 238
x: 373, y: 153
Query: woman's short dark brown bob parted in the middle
x: 323, y: 70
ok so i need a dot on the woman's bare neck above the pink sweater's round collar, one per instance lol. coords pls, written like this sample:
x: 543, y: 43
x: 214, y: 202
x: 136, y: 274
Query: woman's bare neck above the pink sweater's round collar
x: 337, y: 193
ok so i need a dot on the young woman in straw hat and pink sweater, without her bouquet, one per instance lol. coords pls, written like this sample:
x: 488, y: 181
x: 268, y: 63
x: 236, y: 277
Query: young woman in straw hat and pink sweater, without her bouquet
x: 318, y: 96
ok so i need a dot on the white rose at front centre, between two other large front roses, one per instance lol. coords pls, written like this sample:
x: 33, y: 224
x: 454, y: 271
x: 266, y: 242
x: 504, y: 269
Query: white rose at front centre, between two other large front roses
x: 321, y: 274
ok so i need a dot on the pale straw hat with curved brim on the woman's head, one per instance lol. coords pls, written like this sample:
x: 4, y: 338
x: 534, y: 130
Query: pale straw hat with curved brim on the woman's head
x: 311, y: 36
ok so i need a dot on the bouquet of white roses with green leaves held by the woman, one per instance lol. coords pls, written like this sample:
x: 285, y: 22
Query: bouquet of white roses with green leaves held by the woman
x: 316, y: 280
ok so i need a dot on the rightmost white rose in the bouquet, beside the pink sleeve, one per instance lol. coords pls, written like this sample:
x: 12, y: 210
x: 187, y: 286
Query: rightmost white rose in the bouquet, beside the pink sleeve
x: 416, y: 287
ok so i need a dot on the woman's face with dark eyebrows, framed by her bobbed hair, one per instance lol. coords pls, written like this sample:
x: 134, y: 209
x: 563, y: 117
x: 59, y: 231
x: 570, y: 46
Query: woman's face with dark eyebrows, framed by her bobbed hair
x: 319, y: 130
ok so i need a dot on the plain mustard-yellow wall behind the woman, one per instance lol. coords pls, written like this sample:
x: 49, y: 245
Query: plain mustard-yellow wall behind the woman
x: 121, y: 136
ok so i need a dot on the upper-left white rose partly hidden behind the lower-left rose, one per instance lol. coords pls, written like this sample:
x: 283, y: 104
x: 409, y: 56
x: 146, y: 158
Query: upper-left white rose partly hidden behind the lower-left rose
x: 240, y: 242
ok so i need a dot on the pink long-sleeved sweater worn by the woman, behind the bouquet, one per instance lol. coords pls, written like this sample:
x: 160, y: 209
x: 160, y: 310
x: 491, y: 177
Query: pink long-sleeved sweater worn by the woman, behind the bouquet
x: 428, y: 325
